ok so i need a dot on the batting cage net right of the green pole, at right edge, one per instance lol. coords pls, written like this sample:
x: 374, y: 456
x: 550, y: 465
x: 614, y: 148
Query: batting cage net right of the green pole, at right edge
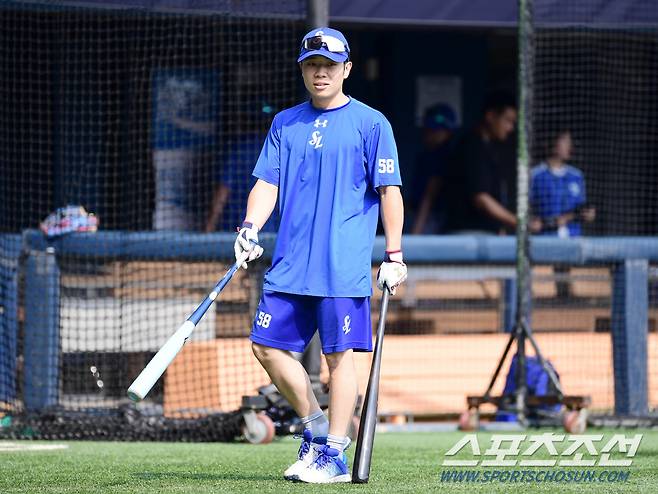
x: 591, y: 120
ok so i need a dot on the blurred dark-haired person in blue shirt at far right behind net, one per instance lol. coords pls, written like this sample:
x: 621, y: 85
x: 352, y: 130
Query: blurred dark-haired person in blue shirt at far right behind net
x: 557, y: 192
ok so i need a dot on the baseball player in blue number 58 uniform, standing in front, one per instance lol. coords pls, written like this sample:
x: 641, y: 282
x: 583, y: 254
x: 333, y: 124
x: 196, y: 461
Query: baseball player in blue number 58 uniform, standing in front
x: 331, y: 166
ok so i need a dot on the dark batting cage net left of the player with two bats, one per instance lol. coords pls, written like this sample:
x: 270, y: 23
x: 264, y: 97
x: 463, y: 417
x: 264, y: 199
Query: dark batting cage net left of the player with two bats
x: 130, y: 119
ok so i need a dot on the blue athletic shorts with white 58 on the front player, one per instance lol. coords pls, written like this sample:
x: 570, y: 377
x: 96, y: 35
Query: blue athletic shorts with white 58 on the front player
x: 288, y: 321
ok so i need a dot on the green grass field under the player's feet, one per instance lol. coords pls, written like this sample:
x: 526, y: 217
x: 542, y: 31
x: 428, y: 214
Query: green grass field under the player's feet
x: 402, y: 462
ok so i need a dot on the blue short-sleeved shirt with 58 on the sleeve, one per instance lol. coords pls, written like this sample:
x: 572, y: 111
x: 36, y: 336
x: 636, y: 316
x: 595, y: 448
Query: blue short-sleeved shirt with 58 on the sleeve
x: 327, y: 165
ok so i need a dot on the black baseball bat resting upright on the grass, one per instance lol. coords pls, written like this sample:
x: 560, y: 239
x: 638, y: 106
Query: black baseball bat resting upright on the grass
x: 368, y: 422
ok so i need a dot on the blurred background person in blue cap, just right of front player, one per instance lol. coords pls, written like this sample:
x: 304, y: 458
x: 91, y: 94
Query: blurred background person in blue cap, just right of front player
x: 439, y: 125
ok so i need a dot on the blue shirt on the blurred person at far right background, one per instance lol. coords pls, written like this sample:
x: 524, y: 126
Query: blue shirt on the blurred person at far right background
x: 556, y: 192
